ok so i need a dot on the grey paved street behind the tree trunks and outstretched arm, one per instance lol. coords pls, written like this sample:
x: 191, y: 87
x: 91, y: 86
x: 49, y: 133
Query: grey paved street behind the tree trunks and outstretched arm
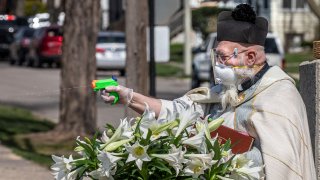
x: 38, y: 91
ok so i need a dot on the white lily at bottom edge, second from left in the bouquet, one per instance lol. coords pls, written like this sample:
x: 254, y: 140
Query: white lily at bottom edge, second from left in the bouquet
x: 108, y: 166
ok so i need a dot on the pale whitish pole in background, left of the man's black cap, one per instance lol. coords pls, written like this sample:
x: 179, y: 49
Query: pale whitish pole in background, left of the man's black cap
x: 187, y: 41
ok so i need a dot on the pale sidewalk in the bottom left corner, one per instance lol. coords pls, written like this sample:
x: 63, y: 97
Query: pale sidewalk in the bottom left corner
x: 14, y: 167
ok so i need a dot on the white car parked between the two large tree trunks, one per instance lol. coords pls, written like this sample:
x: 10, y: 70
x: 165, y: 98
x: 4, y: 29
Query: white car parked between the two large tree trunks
x: 111, y: 51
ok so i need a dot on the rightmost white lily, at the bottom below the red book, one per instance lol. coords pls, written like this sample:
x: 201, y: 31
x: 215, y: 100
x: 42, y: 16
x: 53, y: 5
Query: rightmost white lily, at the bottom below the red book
x: 241, y: 168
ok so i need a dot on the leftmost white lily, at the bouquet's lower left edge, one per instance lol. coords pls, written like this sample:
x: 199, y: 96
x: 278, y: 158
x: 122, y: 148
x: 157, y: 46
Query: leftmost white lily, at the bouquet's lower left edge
x: 62, y: 168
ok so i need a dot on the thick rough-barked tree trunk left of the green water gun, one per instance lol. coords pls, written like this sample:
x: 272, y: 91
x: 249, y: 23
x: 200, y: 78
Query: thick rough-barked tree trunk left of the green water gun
x: 77, y: 100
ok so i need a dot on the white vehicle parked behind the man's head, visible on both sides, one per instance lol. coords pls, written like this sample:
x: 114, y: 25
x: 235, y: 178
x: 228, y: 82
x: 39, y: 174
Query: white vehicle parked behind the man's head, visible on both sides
x: 201, y: 65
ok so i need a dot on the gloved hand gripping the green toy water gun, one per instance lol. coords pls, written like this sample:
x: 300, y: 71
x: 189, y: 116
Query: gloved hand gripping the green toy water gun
x: 125, y: 94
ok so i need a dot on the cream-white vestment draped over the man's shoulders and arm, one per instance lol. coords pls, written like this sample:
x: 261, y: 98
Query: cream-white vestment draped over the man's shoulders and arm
x: 272, y: 111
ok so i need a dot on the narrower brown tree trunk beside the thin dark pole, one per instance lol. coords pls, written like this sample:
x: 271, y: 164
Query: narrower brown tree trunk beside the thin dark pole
x: 136, y: 44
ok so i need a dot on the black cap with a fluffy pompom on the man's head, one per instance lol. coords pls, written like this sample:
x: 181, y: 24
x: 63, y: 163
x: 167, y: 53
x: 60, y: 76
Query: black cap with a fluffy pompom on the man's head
x: 242, y: 25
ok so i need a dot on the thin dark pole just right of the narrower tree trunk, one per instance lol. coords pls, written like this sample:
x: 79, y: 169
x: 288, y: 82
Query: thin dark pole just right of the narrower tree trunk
x: 152, y: 64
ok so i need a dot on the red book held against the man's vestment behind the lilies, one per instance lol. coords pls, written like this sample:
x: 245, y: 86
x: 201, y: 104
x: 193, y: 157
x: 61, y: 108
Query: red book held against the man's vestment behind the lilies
x: 240, y: 142
